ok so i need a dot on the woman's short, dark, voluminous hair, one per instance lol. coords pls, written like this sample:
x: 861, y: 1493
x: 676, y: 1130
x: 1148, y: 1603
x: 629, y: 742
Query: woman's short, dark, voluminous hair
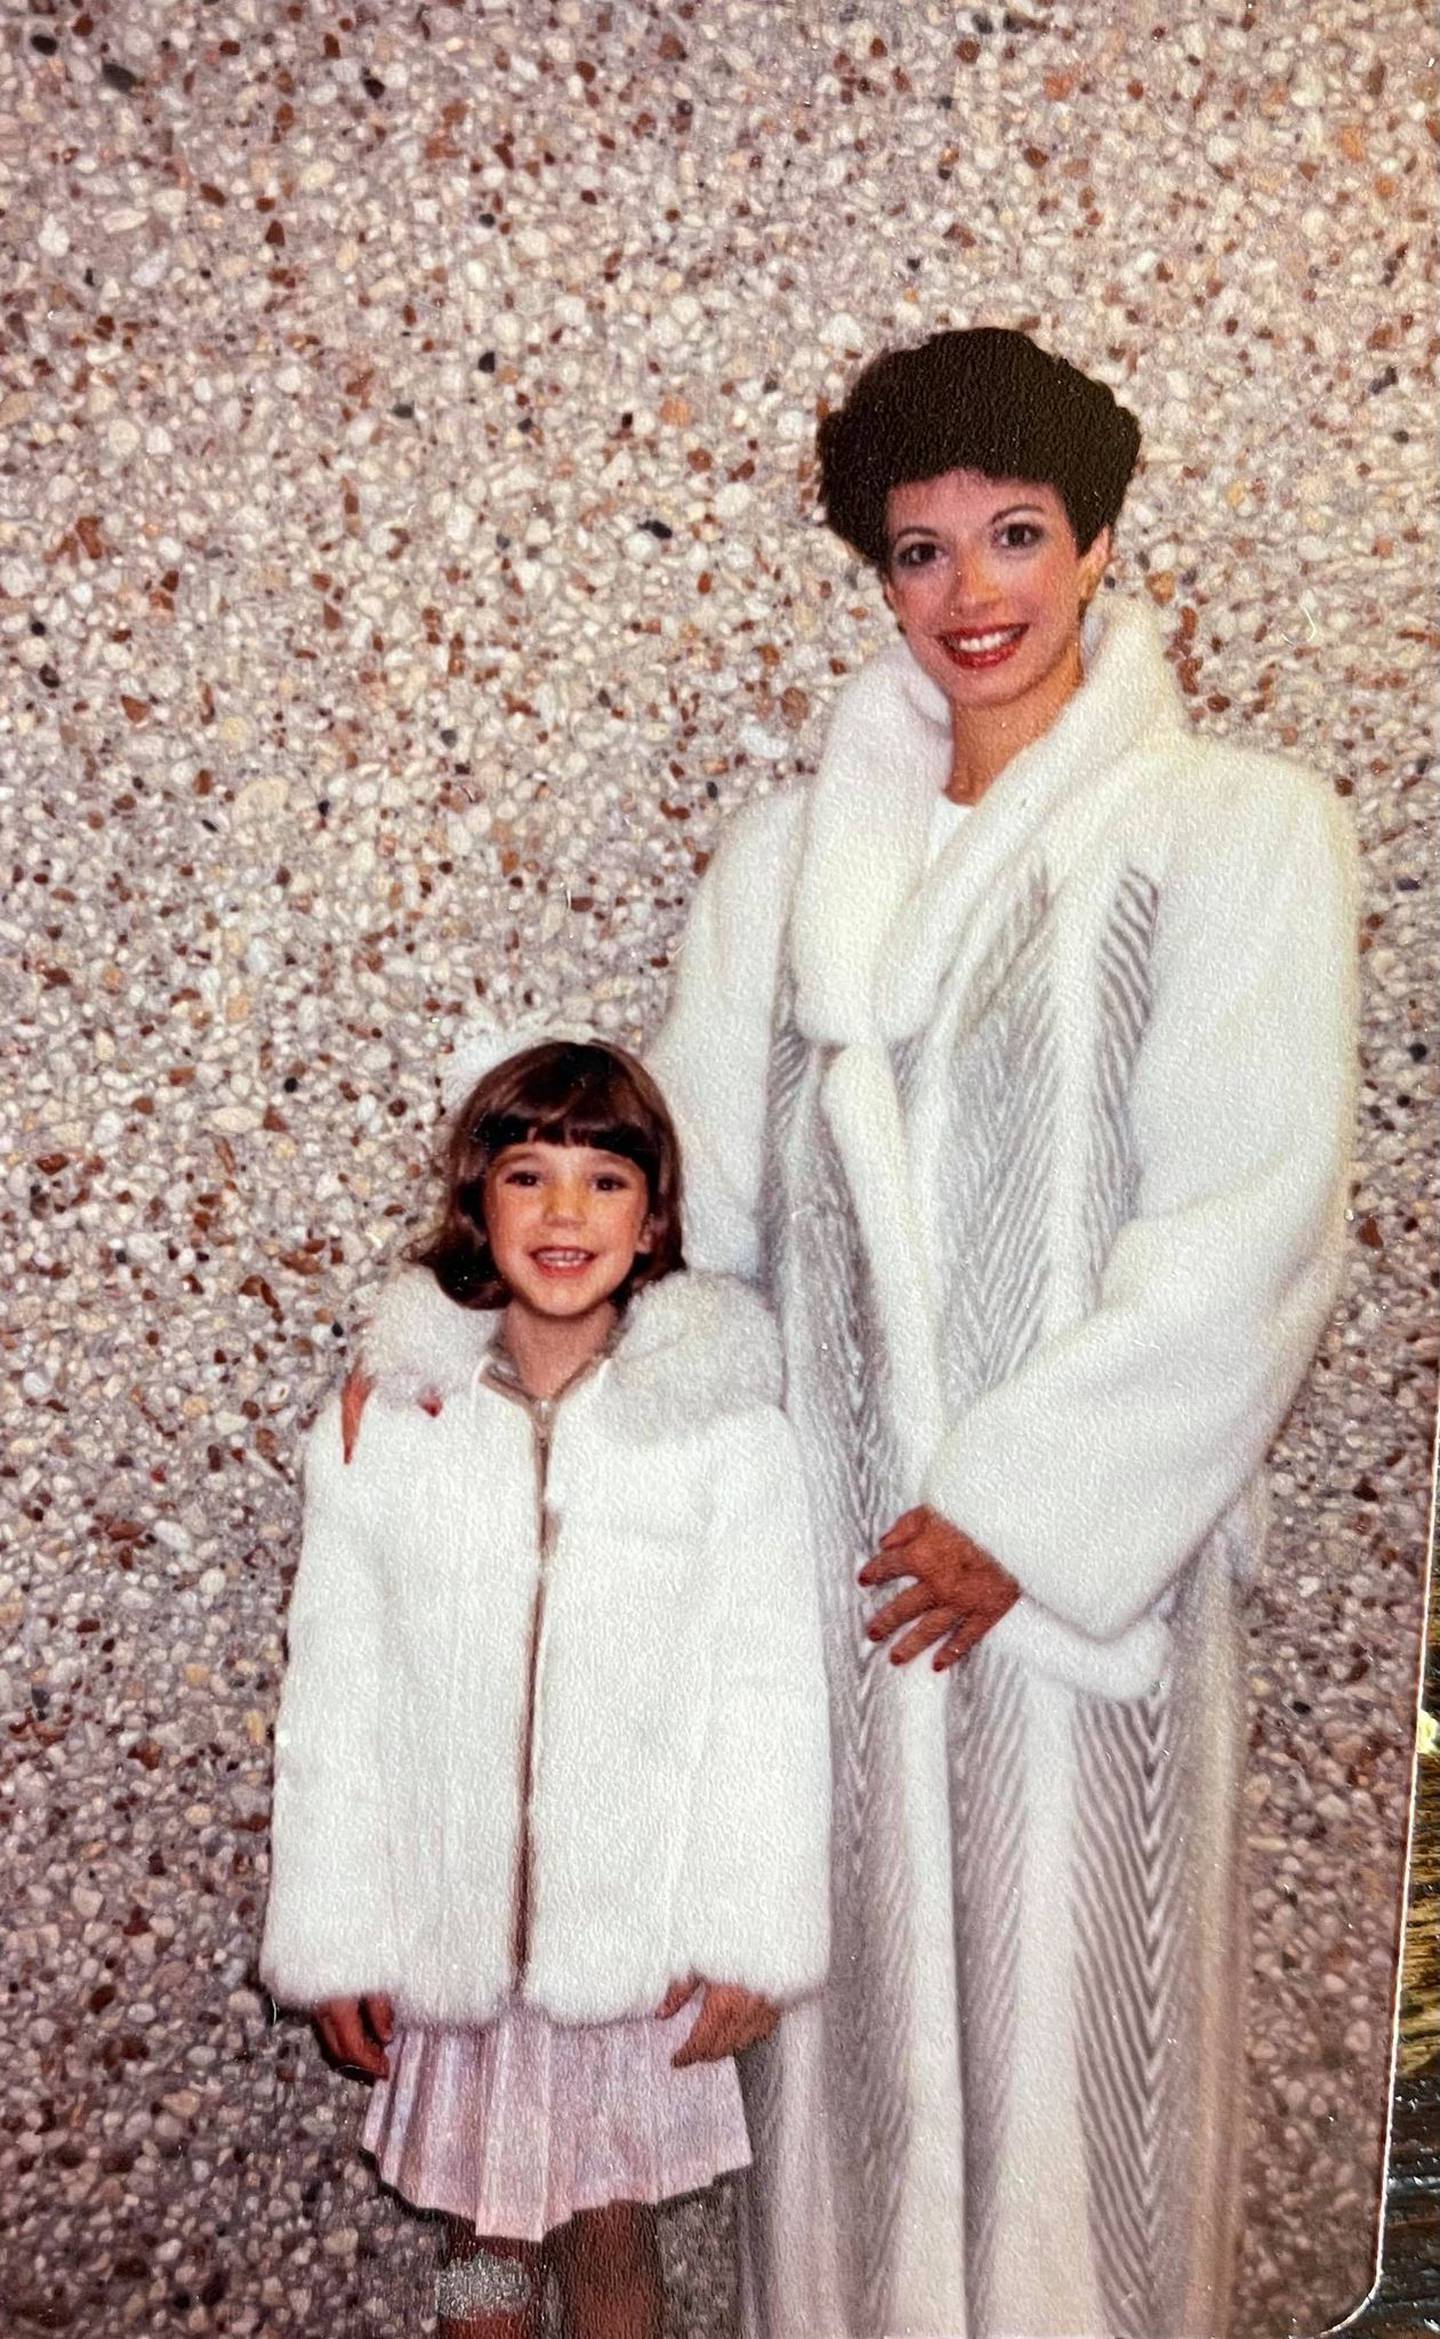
x: 974, y: 401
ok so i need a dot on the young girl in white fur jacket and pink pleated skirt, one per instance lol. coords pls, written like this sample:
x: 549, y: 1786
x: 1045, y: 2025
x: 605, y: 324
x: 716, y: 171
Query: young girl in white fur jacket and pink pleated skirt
x: 551, y: 1823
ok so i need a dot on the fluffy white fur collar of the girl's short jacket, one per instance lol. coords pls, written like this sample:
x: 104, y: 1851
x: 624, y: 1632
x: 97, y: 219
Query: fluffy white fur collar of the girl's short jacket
x: 691, y: 1346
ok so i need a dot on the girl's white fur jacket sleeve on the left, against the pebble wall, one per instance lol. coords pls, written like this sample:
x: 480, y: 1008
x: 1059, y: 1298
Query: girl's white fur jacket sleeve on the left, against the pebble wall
x: 328, y: 1919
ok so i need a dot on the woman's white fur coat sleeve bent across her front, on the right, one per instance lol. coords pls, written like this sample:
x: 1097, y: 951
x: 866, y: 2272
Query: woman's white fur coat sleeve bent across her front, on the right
x: 1107, y: 1458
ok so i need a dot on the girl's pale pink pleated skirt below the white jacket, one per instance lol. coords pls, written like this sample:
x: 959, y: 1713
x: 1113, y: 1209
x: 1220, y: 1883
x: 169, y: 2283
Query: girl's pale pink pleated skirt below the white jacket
x: 527, y: 2123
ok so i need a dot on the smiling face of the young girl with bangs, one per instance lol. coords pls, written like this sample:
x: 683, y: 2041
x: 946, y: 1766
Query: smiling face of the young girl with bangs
x: 565, y: 1227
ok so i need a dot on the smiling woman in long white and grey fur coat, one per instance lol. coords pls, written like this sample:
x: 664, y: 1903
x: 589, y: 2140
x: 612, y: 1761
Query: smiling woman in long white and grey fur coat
x: 1016, y: 1061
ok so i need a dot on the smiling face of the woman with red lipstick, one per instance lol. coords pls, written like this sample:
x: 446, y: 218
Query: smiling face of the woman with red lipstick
x: 988, y: 586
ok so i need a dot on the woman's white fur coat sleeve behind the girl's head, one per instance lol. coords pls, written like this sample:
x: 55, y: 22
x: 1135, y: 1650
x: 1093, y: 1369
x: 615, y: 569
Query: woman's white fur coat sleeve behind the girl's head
x: 714, y: 1047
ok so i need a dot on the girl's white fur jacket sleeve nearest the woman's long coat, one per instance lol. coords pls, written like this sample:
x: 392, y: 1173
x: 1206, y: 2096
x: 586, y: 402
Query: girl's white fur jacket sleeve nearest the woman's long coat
x: 754, y: 1900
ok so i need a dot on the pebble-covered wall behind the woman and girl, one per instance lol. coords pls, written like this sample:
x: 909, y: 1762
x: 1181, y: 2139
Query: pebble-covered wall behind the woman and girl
x: 408, y: 560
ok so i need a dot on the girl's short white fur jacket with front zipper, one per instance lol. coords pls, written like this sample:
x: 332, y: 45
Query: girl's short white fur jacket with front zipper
x: 679, y: 1760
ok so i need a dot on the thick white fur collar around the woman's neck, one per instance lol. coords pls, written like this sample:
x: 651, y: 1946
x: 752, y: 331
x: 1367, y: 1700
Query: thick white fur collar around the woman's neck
x: 875, y: 930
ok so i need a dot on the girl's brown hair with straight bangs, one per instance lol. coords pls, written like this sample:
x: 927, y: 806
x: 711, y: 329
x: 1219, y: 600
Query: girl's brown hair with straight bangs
x: 560, y: 1093
